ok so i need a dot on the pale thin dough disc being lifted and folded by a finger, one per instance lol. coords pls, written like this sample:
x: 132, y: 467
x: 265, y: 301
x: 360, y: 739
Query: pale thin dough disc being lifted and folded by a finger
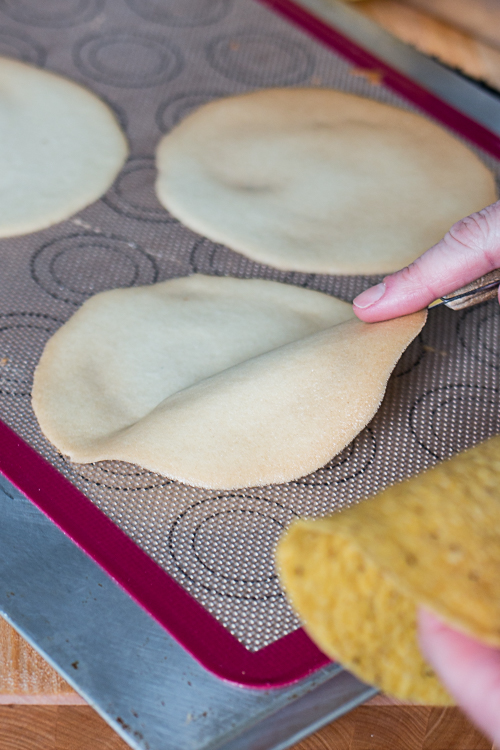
x: 216, y: 382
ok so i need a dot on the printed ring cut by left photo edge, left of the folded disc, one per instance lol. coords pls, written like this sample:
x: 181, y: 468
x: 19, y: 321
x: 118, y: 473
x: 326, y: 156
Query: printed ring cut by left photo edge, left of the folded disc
x: 18, y: 359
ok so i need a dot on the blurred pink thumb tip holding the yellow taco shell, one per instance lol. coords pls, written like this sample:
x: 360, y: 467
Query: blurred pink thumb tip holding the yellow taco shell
x: 469, y: 670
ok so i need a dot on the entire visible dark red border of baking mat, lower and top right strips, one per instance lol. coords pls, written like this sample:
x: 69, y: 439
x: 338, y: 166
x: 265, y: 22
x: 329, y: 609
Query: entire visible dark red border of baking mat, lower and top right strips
x: 294, y: 656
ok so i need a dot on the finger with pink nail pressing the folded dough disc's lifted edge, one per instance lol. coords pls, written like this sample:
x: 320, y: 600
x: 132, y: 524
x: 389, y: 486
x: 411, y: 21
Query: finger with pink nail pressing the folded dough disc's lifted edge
x: 469, y: 250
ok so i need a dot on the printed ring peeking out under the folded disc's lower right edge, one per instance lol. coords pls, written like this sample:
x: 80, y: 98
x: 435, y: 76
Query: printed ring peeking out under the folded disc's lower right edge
x: 343, y: 467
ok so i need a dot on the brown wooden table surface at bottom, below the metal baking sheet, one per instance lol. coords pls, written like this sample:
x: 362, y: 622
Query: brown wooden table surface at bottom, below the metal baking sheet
x: 40, y: 711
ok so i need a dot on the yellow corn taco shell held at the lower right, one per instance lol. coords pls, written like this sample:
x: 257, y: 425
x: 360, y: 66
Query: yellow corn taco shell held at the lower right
x: 357, y: 578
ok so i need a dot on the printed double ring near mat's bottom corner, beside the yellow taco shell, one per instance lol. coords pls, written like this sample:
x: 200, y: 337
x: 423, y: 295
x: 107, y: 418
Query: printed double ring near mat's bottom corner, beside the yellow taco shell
x: 205, y: 562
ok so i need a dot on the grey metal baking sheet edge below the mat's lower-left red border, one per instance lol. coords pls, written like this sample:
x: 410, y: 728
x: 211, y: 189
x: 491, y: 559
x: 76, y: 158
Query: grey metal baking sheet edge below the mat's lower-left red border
x: 127, y: 667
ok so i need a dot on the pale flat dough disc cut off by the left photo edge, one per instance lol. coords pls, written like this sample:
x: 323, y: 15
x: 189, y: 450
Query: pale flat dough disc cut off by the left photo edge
x: 60, y: 148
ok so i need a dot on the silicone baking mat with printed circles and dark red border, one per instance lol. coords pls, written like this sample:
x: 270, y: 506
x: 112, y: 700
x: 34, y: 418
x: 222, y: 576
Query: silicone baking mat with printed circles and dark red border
x: 201, y: 561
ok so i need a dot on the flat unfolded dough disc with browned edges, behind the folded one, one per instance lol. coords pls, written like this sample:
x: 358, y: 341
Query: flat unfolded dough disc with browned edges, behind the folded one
x: 319, y: 181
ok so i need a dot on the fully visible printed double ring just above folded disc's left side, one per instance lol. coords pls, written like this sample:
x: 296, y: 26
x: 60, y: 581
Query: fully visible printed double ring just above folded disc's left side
x: 79, y: 265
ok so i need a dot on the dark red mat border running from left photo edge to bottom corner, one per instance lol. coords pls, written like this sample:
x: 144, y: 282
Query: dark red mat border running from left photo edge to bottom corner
x: 284, y: 661
